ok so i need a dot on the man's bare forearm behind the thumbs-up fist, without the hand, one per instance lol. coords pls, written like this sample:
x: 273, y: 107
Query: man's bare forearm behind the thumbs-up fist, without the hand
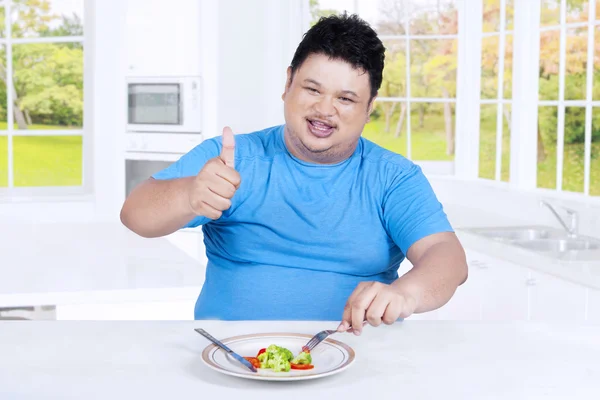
x: 157, y: 208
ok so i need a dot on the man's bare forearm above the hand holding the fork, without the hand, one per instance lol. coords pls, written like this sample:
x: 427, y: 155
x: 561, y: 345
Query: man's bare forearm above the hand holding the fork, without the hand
x: 435, y: 277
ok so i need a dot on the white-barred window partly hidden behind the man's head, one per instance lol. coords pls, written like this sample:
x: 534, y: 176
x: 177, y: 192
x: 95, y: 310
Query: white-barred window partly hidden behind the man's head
x: 414, y: 113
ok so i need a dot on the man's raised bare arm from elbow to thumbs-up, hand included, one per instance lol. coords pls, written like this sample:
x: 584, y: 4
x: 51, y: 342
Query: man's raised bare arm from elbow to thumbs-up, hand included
x: 160, y: 207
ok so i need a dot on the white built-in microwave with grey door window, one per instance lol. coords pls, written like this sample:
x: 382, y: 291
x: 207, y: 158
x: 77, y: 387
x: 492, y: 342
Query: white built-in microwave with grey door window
x: 164, y: 104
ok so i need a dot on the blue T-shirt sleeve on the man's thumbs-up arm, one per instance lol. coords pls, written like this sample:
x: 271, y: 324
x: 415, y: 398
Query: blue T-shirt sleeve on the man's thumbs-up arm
x: 189, y: 165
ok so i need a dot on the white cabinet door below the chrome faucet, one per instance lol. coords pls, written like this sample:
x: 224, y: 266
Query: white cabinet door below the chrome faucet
x: 555, y: 299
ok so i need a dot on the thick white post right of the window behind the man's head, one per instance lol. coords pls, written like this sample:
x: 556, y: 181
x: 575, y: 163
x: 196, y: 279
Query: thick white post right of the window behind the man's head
x: 468, y: 88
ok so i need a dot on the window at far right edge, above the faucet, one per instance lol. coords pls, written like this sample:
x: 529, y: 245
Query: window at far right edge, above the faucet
x: 568, y: 136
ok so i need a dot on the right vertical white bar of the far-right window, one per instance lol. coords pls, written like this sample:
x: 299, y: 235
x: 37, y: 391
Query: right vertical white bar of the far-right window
x: 589, y: 93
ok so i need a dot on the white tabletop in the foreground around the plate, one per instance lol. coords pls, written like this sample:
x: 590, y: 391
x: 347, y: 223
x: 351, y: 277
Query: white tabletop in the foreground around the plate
x: 409, y: 360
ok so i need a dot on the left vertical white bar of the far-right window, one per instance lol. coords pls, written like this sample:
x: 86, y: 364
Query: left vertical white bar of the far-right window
x: 560, y: 129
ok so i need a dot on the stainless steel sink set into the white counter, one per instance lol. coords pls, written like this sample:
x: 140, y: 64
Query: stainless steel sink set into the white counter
x: 543, y: 240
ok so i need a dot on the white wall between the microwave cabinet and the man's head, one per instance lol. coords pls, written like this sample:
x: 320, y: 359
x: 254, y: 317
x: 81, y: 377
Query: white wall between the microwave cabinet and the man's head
x: 257, y: 41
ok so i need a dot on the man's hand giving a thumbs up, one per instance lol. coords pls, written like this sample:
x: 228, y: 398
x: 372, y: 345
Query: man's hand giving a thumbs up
x: 213, y: 188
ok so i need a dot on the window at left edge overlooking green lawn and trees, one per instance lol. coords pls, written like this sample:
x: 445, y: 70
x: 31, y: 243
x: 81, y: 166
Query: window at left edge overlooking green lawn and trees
x: 41, y: 95
